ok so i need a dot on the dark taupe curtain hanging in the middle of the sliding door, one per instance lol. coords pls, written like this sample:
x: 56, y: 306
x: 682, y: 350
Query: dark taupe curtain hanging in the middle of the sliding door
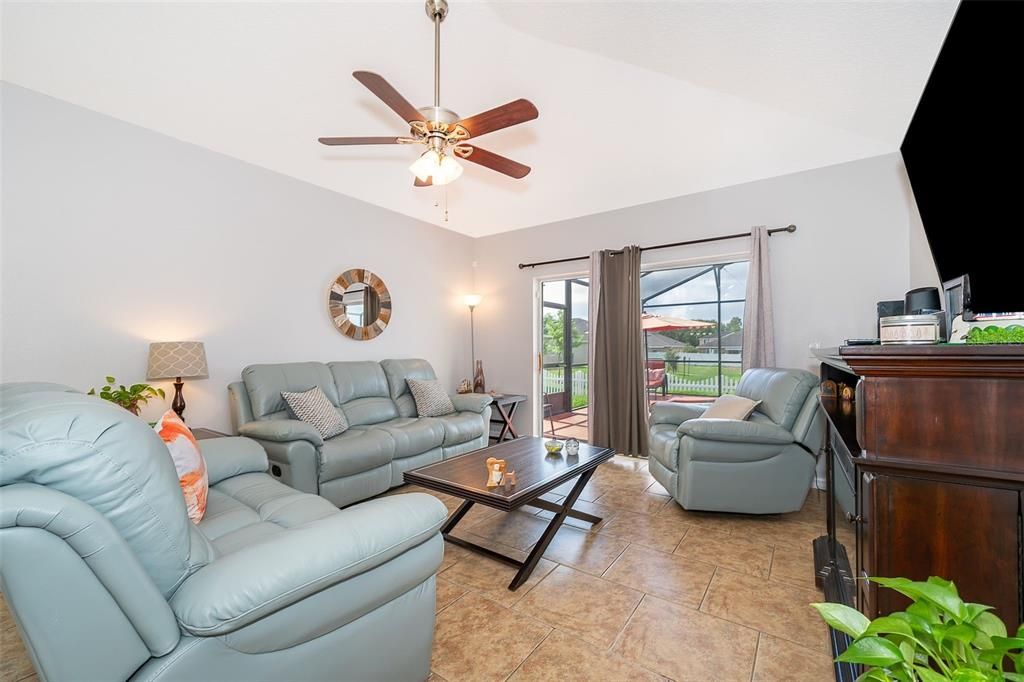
x: 618, y: 394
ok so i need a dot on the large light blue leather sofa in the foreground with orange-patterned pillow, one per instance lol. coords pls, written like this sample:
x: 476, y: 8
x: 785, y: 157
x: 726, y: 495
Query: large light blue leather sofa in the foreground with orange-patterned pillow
x: 109, y: 580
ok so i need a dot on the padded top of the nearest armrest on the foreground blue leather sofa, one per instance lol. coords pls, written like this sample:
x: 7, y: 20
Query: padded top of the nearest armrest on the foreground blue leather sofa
x: 262, y: 579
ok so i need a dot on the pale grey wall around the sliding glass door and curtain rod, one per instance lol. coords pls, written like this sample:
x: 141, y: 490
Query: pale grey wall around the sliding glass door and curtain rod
x: 851, y: 249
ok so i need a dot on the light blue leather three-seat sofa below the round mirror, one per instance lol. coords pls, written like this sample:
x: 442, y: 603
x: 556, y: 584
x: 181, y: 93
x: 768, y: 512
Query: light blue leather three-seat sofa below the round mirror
x: 387, y: 437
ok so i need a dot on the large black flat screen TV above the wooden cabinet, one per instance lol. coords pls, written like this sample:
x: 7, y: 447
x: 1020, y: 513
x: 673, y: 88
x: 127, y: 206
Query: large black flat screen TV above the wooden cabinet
x: 964, y: 153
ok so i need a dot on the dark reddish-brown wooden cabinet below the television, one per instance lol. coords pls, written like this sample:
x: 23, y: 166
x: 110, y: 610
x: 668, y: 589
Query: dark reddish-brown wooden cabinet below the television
x: 942, y: 472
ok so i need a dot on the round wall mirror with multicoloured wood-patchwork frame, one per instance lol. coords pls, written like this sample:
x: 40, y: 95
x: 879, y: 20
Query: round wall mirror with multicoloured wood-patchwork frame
x: 360, y: 305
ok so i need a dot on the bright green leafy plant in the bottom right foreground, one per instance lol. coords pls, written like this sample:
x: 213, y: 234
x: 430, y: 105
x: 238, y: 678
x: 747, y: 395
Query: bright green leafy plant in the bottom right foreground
x: 938, y: 638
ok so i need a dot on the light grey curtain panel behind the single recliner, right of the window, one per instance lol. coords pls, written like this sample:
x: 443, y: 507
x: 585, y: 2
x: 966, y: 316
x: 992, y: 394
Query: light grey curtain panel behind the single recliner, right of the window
x: 759, y: 331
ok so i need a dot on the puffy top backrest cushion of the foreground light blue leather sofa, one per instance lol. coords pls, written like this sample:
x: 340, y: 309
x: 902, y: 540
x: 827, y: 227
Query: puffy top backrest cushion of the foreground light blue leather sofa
x: 111, y: 460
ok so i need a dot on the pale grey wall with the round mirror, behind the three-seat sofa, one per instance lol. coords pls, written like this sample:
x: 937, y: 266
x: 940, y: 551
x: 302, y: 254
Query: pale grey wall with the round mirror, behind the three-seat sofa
x: 114, y: 236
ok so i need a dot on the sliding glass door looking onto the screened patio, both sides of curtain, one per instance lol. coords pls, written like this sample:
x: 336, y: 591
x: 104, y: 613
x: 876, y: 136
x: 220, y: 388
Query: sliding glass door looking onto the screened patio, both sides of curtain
x: 695, y: 345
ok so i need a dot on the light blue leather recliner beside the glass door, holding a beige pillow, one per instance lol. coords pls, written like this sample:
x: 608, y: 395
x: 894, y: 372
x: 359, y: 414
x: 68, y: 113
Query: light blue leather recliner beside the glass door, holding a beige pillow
x: 763, y: 465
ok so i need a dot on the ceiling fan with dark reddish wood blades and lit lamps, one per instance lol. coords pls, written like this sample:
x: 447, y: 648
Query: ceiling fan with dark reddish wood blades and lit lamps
x: 440, y: 130
